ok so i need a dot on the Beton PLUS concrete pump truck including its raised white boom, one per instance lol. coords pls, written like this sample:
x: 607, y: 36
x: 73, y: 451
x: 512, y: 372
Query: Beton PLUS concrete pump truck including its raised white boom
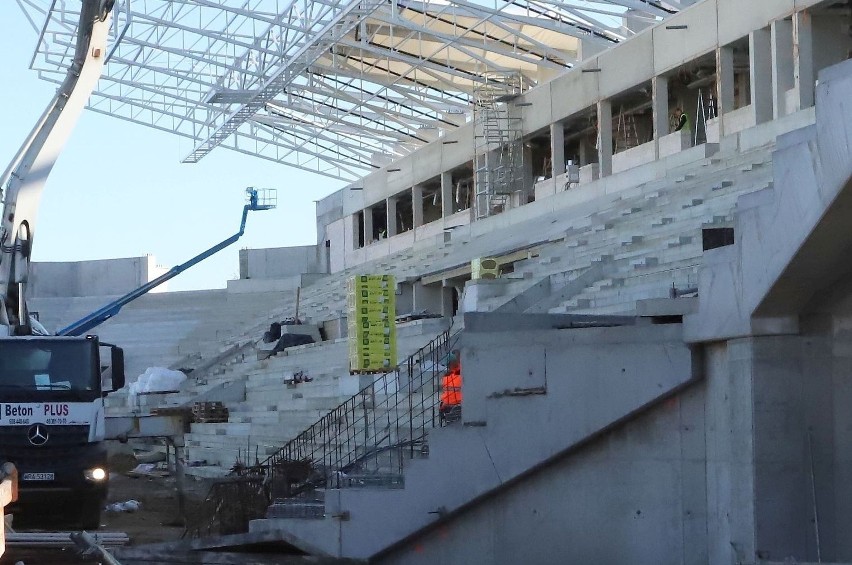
x: 52, y: 388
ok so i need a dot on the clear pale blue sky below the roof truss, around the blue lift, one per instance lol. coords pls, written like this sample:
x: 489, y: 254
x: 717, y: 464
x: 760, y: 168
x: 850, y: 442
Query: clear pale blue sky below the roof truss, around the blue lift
x: 119, y: 189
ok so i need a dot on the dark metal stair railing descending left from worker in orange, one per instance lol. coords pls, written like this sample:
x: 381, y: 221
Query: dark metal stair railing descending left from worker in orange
x: 366, y: 438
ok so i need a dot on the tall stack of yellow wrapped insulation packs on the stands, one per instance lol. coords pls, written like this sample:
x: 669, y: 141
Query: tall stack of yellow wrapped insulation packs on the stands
x: 372, y: 323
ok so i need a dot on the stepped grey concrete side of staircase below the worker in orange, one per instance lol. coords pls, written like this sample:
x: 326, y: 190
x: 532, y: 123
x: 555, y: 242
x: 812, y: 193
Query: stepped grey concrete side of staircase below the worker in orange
x: 490, y: 448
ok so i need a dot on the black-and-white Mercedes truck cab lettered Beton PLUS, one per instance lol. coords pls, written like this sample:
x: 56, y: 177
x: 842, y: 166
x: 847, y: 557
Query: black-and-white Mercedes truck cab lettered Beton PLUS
x: 52, y: 427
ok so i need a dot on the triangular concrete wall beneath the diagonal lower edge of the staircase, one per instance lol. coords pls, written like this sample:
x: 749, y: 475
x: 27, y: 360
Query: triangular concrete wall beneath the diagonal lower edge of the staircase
x: 617, y: 500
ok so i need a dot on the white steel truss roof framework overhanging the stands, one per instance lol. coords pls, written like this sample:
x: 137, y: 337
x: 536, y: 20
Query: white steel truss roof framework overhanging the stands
x: 329, y: 86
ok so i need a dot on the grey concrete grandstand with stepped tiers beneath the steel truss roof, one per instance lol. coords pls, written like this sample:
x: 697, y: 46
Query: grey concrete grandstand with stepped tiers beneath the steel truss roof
x: 660, y: 374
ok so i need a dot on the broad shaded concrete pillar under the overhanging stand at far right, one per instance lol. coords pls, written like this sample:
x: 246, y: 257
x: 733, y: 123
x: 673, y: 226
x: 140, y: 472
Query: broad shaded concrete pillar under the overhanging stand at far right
x: 791, y: 392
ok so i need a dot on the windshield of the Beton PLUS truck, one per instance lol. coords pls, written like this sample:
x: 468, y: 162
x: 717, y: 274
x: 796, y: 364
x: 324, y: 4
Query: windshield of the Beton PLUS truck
x: 48, y: 365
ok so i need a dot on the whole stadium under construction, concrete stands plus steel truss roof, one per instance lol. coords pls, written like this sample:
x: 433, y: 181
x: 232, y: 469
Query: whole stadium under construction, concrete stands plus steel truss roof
x: 621, y: 223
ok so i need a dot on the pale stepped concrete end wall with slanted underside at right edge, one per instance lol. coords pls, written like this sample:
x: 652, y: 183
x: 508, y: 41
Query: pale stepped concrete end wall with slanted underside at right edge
x: 790, y: 239
